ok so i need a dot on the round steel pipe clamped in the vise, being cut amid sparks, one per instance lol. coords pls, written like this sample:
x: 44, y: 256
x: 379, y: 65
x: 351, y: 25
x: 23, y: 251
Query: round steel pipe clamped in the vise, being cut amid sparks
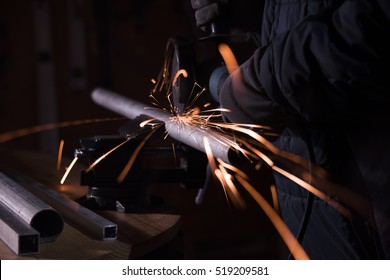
x: 191, y: 135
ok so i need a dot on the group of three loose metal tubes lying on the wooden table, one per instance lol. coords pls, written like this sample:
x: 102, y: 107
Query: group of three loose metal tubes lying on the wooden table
x: 31, y: 213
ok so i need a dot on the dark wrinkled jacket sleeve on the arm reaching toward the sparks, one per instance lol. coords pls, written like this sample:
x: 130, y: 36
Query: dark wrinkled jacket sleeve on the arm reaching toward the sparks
x: 329, y: 67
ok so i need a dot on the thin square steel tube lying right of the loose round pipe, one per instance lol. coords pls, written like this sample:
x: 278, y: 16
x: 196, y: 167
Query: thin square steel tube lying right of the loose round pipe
x: 73, y: 212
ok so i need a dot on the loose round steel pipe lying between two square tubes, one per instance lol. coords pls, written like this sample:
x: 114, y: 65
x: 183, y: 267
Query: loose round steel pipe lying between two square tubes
x: 31, y: 209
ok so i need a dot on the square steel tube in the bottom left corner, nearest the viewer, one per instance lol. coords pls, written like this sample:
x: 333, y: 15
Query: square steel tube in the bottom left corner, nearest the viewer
x: 18, y: 235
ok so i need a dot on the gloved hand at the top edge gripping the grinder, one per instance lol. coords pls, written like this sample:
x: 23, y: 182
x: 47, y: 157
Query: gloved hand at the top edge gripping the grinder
x: 206, y: 11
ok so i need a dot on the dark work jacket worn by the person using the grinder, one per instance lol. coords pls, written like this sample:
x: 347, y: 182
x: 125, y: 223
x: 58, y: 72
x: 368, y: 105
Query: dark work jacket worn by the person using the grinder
x: 321, y: 79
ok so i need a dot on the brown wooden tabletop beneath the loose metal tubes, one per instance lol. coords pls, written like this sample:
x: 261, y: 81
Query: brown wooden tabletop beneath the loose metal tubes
x: 138, y: 233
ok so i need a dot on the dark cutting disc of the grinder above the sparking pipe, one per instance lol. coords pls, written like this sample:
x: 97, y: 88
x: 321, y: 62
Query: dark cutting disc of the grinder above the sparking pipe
x: 181, y: 54
